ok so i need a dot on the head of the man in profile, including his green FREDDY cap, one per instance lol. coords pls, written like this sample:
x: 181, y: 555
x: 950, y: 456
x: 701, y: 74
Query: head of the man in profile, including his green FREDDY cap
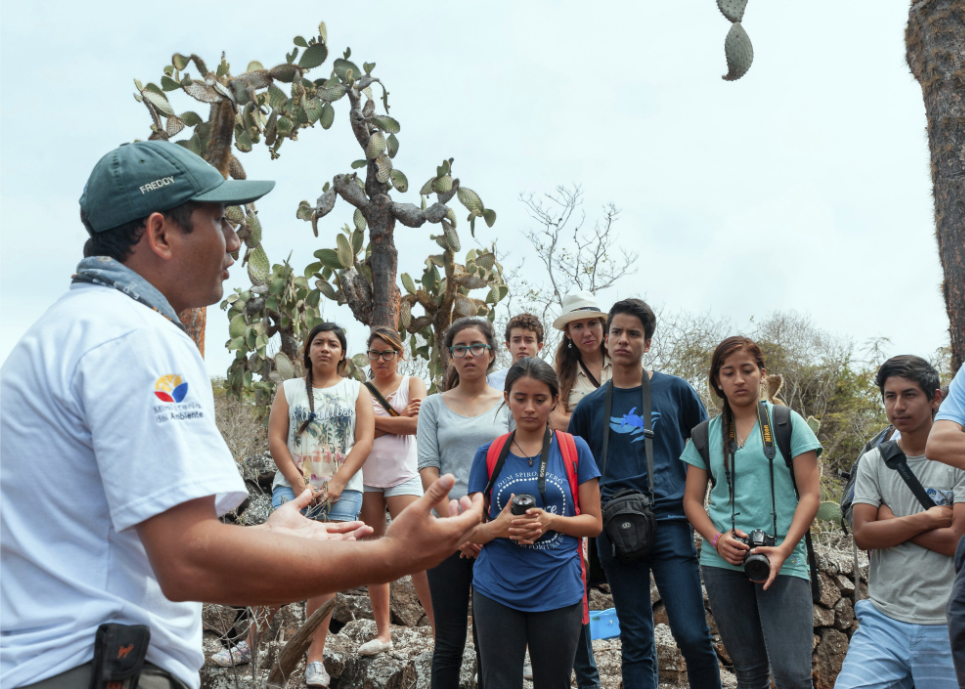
x: 158, y: 209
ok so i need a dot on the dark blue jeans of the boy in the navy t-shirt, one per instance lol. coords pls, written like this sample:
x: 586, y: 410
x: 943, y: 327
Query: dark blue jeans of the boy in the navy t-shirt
x: 673, y: 561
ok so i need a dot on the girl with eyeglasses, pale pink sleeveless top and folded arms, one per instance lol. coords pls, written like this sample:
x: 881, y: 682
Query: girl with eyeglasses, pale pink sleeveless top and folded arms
x: 391, y: 471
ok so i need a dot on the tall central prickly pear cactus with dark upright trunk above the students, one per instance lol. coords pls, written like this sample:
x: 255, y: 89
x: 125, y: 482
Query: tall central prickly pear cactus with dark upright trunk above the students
x: 361, y: 269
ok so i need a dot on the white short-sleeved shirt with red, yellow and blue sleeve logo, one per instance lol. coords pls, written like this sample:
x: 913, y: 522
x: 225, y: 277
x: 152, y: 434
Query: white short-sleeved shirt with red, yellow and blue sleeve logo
x: 106, y: 419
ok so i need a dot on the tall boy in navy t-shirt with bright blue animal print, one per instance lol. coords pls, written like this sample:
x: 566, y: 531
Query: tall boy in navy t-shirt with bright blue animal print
x: 675, y: 410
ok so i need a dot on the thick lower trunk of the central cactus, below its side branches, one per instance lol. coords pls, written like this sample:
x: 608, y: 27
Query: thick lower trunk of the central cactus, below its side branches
x: 384, y: 262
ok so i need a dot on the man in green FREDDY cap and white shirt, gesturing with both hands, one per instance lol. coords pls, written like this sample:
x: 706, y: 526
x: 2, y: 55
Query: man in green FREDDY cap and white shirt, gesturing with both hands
x: 114, y: 473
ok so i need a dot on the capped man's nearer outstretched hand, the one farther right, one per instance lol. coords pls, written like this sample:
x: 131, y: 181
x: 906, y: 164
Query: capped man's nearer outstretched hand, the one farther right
x: 420, y: 540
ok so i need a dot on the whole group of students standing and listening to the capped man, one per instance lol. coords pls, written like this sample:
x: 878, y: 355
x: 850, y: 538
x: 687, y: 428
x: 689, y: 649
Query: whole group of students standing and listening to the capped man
x: 546, y: 446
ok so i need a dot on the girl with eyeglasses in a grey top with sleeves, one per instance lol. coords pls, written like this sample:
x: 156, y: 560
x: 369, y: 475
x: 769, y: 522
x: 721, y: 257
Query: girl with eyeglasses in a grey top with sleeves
x: 451, y: 427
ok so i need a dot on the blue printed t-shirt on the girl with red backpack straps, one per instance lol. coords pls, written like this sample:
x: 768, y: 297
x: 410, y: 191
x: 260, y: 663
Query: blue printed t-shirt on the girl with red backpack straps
x: 548, y: 574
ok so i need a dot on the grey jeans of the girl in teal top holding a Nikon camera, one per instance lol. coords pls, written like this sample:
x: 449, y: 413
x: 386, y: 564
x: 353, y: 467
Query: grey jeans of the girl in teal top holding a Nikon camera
x: 764, y: 631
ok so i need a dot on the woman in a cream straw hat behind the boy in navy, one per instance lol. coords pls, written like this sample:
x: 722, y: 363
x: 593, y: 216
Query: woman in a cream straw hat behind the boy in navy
x: 582, y: 363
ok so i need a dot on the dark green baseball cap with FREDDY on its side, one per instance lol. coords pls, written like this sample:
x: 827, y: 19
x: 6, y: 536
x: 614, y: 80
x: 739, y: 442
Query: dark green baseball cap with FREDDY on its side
x: 135, y: 180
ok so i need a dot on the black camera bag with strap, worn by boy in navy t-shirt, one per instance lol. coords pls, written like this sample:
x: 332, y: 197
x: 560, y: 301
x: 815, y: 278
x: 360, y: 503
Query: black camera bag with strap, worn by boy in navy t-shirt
x: 628, y: 518
